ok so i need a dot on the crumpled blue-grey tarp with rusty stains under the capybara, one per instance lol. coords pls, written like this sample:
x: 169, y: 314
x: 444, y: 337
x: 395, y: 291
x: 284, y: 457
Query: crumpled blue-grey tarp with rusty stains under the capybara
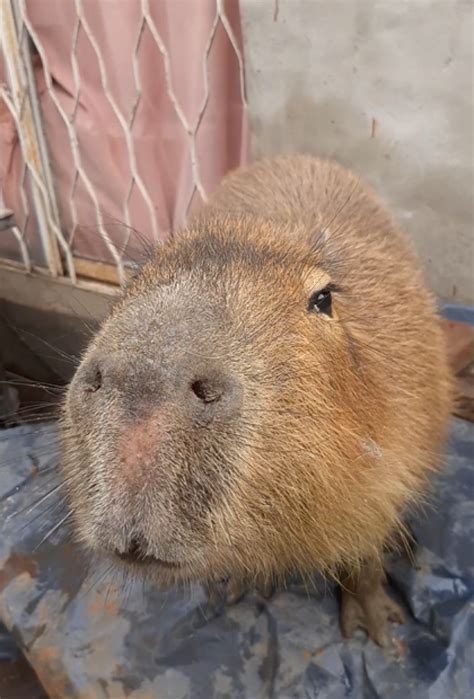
x: 100, y: 636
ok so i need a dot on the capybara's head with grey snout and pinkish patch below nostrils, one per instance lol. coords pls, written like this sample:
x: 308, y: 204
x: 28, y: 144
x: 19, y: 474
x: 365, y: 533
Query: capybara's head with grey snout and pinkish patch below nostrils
x: 210, y: 391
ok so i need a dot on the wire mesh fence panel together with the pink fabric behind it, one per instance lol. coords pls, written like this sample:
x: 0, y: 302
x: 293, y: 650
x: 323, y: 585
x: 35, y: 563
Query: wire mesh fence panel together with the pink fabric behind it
x: 116, y: 120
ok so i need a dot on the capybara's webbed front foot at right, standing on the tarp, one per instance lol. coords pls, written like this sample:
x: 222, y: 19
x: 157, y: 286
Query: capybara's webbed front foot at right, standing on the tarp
x: 366, y: 605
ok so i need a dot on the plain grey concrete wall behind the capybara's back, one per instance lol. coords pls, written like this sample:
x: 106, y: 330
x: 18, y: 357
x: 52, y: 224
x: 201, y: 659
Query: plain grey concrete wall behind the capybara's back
x: 386, y: 88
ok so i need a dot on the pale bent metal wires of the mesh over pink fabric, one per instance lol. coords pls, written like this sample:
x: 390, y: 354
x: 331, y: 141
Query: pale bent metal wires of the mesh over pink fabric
x: 20, y: 98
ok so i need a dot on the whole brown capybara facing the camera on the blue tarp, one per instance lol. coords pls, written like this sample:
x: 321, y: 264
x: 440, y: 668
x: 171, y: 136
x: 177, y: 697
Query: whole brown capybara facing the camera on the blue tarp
x: 268, y: 396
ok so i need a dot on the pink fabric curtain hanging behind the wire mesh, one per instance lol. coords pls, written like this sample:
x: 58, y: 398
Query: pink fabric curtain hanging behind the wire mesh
x: 161, y: 144
